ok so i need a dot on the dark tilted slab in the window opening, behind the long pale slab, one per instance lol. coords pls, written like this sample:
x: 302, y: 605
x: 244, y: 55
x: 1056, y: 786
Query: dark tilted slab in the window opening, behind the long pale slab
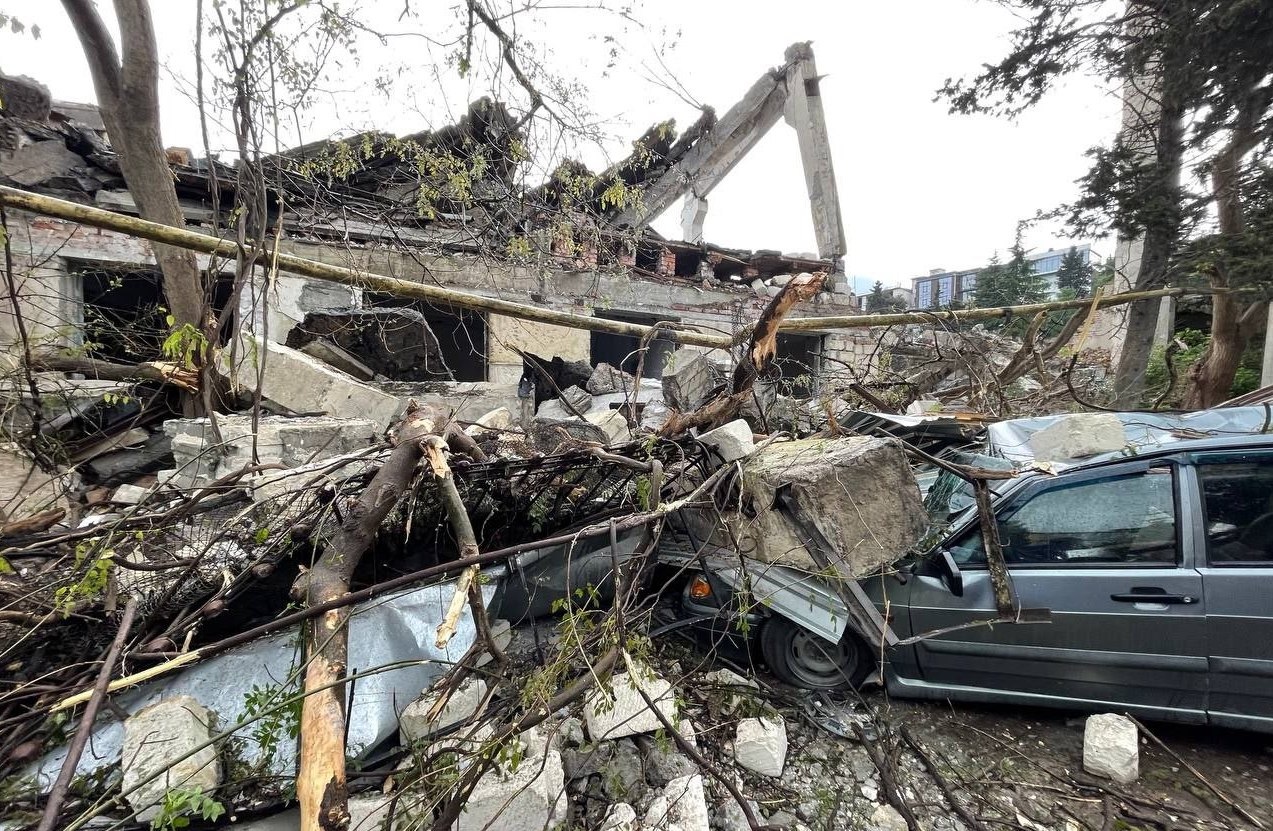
x: 394, y: 343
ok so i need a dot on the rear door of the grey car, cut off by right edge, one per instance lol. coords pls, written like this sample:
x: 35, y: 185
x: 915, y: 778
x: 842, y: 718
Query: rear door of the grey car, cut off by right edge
x: 1237, y: 534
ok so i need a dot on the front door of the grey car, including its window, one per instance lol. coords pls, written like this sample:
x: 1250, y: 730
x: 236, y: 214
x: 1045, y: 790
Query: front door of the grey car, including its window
x: 1103, y: 552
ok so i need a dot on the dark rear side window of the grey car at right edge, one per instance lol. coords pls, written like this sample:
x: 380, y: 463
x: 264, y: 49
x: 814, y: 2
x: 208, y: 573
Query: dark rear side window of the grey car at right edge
x: 1238, y: 499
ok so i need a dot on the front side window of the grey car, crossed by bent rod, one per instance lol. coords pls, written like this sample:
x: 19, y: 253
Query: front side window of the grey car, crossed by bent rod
x: 1127, y: 520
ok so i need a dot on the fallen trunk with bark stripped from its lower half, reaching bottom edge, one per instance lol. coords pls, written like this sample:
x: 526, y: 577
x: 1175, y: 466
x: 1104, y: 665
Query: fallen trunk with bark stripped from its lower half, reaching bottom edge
x: 321, y: 788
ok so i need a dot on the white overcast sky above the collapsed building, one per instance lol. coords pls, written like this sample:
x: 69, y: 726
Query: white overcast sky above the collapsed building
x: 920, y: 188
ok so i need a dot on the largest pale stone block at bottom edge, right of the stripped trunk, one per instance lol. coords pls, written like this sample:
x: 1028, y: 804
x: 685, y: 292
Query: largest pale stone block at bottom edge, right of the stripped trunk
x: 530, y: 799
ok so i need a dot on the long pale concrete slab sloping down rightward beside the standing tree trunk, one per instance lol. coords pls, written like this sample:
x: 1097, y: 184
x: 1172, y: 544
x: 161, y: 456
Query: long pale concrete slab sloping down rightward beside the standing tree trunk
x: 307, y: 386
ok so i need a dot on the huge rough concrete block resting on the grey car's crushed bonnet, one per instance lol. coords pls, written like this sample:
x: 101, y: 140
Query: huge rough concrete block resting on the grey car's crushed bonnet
x: 857, y: 493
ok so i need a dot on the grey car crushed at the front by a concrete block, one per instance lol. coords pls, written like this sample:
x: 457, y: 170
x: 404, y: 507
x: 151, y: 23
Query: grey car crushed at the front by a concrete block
x: 1158, y: 571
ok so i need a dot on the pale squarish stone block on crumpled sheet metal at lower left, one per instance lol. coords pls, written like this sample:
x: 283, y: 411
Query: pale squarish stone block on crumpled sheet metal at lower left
x: 155, y: 739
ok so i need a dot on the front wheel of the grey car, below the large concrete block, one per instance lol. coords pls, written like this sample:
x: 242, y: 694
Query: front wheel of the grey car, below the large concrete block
x: 803, y: 660
